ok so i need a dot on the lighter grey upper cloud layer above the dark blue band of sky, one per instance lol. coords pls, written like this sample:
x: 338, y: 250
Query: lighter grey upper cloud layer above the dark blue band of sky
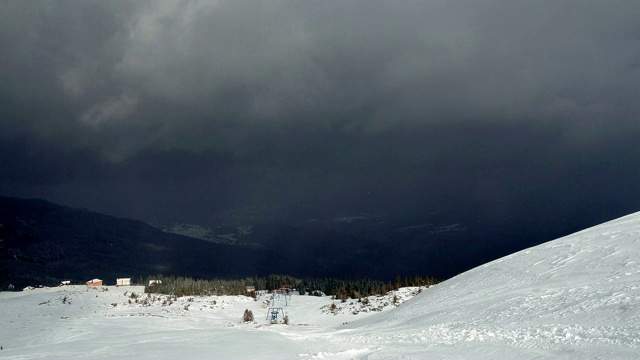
x: 203, y: 73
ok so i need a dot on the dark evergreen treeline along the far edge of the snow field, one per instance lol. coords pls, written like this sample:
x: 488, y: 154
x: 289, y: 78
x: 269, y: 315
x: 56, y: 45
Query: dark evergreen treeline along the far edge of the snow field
x: 342, y: 289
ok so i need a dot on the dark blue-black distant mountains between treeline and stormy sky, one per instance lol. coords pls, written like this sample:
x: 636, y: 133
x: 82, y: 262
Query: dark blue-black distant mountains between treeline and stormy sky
x: 44, y: 243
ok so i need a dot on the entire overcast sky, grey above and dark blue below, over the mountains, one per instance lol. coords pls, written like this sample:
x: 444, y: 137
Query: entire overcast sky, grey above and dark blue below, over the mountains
x: 513, y: 109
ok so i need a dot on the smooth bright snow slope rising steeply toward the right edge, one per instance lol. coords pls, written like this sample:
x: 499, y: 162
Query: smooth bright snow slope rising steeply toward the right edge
x: 578, y: 296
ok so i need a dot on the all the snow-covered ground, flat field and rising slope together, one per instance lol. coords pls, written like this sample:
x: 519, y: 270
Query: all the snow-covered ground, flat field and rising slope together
x: 577, y: 297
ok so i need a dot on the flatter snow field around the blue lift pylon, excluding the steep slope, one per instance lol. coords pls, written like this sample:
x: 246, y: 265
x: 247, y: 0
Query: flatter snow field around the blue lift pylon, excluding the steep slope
x: 120, y: 322
